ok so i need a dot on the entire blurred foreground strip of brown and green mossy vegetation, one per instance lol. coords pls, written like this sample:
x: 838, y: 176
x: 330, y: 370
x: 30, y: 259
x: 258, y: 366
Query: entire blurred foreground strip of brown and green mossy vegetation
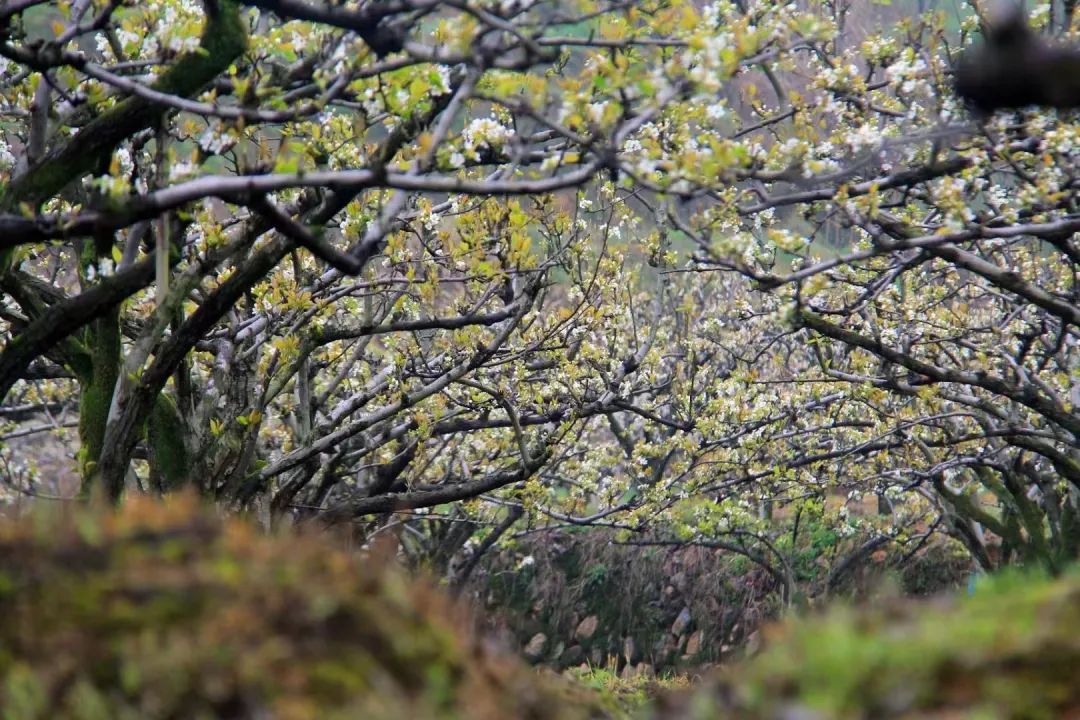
x: 166, y: 612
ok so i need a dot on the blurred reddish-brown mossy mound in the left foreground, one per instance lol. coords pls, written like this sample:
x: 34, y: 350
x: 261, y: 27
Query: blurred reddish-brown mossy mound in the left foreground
x: 166, y: 612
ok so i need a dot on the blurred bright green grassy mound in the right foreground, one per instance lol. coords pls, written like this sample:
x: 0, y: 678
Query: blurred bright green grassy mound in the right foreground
x: 1009, y: 651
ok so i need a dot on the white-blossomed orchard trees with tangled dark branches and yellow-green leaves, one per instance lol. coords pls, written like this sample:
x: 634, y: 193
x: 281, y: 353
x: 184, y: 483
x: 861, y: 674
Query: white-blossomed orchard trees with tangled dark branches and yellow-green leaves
x: 688, y: 275
